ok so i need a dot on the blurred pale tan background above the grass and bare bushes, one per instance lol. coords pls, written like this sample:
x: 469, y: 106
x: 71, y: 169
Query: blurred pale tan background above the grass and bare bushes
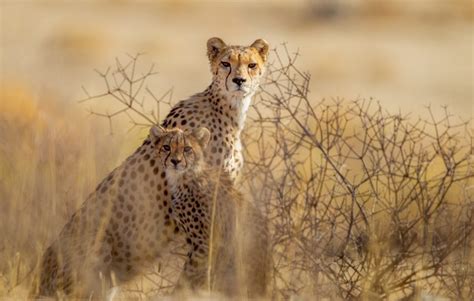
x: 404, y: 53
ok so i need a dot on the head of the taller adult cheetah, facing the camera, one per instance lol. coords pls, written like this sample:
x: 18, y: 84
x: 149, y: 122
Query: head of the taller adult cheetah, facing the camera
x: 237, y: 70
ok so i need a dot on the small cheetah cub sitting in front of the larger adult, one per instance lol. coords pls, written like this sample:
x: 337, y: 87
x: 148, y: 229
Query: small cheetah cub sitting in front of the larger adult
x: 227, y: 237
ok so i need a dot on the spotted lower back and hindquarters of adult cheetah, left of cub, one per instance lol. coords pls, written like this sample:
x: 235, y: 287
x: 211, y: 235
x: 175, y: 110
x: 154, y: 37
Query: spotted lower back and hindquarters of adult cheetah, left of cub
x: 124, y: 226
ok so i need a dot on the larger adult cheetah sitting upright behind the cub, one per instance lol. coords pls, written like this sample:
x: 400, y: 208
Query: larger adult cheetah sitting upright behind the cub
x: 126, y: 224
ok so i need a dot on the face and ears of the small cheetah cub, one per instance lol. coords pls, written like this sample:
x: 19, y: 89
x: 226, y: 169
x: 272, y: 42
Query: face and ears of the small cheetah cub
x: 177, y: 150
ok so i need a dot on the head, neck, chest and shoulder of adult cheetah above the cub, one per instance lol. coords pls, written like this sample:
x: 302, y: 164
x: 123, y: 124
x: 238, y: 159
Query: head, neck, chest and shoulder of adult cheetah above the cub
x: 223, y: 106
